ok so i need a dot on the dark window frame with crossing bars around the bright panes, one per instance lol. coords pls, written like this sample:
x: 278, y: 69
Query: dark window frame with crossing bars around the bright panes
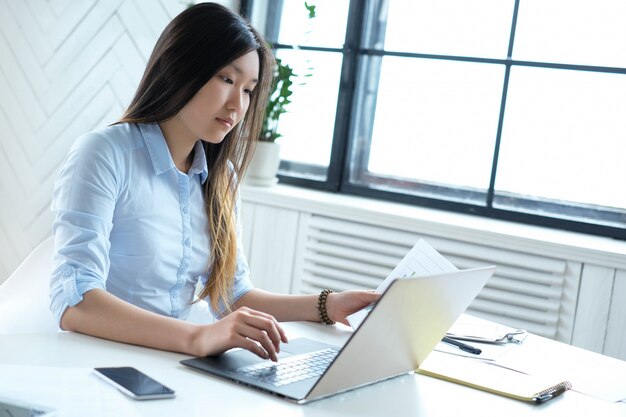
x: 337, y: 178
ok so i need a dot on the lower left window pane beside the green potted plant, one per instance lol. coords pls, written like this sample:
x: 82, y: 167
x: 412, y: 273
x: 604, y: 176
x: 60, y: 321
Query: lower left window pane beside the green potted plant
x: 308, y: 125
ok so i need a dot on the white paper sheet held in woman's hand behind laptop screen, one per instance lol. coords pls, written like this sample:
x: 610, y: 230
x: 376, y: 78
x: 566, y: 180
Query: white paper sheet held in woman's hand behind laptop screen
x: 422, y: 260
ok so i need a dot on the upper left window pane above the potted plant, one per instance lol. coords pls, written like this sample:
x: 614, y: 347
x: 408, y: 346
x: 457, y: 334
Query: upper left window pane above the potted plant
x: 326, y: 29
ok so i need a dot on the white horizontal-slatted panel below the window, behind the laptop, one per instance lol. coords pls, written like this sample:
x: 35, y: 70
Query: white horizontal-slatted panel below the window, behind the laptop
x: 527, y: 290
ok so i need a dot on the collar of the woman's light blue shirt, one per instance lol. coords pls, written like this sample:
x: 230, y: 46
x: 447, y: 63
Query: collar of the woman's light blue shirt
x: 160, y: 154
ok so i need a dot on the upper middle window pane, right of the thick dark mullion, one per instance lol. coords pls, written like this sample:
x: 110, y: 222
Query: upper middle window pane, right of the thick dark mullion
x: 479, y: 28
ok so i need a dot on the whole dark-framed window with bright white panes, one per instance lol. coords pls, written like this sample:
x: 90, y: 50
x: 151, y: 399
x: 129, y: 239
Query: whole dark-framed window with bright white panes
x: 510, y: 109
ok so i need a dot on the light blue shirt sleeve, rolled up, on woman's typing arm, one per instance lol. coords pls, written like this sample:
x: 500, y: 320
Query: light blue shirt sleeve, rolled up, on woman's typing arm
x: 83, y: 204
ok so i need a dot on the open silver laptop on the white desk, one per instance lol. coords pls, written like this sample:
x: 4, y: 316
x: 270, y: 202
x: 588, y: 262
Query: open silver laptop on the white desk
x: 407, y: 322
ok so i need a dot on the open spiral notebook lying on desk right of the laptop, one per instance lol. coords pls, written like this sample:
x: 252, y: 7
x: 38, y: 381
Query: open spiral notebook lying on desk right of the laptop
x: 493, y: 378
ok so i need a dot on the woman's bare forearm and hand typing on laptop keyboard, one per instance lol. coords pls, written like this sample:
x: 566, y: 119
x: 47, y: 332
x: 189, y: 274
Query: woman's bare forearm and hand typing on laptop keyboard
x: 103, y: 315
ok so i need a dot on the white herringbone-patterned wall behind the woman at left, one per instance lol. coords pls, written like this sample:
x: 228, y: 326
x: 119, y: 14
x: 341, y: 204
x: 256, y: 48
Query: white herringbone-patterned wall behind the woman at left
x: 66, y: 67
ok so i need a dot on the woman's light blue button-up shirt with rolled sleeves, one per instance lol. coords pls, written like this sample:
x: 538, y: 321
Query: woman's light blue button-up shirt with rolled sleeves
x: 128, y: 221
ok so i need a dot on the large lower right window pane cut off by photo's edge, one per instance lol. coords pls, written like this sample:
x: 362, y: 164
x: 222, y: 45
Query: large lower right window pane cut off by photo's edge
x: 564, y: 137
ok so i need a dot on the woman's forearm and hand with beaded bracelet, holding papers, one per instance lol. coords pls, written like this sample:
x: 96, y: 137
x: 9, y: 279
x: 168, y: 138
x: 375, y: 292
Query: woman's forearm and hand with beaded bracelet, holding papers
x: 304, y: 307
